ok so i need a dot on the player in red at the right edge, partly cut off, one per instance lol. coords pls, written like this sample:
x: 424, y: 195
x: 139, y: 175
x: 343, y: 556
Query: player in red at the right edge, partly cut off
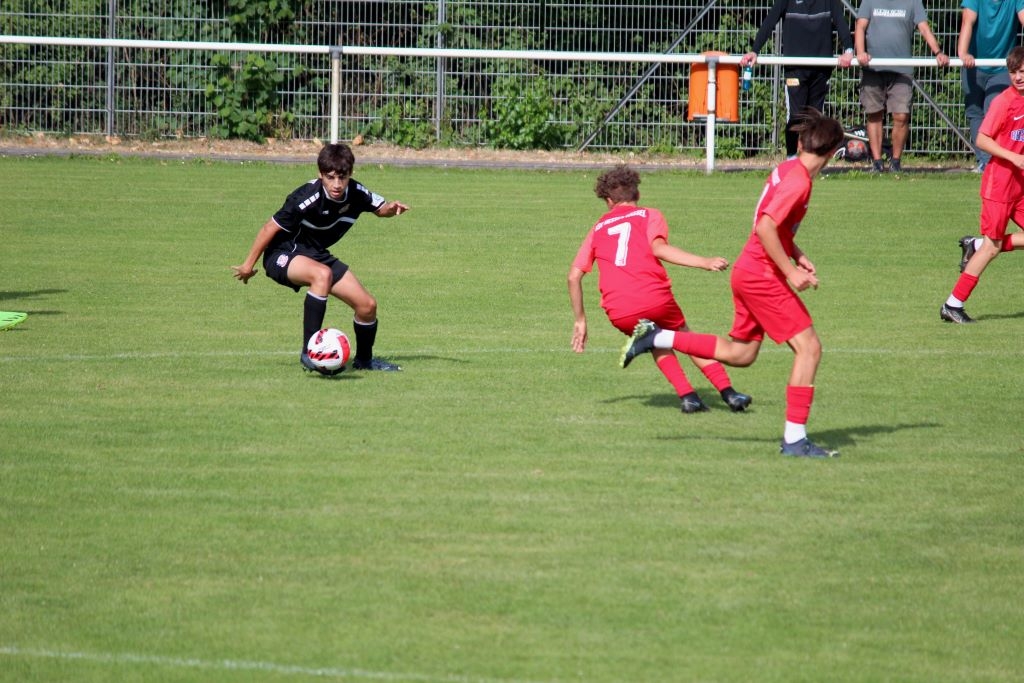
x: 1002, y: 135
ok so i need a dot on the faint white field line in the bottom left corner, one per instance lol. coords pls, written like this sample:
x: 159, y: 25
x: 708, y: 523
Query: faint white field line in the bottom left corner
x: 125, y: 659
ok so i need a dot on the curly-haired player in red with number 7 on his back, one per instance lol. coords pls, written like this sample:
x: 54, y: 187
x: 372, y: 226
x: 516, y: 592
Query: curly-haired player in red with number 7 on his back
x: 629, y: 244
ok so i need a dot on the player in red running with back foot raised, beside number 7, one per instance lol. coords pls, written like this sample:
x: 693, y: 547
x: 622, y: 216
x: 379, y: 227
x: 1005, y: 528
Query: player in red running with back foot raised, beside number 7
x: 766, y: 278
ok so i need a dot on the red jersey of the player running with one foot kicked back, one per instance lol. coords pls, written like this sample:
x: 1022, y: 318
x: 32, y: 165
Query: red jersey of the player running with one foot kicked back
x: 785, y: 198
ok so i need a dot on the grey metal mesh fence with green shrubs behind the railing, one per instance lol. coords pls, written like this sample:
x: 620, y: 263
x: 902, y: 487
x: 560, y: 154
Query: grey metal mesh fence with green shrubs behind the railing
x: 422, y: 102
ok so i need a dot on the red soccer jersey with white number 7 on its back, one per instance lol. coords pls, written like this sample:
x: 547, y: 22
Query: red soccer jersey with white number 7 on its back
x: 632, y: 279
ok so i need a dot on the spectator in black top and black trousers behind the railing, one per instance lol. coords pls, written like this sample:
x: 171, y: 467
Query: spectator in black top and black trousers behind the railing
x: 807, y: 32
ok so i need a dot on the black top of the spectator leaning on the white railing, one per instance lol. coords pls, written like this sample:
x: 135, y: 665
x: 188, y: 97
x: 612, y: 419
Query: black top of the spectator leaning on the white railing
x: 807, y: 28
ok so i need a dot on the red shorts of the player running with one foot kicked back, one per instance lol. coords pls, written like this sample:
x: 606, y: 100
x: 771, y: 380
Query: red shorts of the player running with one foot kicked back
x: 766, y: 306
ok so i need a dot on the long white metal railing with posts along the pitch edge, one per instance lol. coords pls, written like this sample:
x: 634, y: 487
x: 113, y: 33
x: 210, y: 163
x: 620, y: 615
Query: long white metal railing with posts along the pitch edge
x: 337, y: 52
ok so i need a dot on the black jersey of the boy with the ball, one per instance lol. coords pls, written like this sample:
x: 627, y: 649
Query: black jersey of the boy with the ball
x: 311, y: 222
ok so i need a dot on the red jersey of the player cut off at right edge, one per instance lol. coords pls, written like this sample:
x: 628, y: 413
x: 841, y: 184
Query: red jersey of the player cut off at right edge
x: 1004, y: 123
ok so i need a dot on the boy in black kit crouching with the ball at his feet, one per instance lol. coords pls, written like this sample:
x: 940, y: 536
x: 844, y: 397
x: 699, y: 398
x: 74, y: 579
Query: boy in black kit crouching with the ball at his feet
x: 295, y: 242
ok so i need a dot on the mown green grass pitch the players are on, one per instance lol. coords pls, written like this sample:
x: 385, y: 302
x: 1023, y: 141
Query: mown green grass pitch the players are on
x: 180, y: 502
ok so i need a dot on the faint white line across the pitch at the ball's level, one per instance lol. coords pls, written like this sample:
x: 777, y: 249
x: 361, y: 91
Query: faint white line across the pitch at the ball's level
x: 178, y: 356
